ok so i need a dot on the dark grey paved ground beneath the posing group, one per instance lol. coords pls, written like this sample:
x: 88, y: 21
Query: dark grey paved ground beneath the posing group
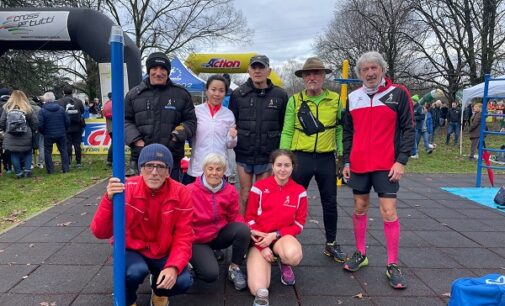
x: 52, y: 259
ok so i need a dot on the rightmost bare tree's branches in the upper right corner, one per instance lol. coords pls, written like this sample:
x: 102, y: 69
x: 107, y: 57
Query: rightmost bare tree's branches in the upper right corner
x: 462, y: 41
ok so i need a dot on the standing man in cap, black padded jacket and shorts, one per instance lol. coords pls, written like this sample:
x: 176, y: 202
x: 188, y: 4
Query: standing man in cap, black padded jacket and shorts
x: 259, y: 108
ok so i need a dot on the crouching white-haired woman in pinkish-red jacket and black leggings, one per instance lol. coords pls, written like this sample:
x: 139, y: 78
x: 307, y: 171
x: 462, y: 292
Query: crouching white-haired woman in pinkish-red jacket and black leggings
x: 217, y: 223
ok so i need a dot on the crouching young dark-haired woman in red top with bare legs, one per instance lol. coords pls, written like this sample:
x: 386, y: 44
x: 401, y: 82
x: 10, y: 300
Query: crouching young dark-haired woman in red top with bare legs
x: 276, y: 213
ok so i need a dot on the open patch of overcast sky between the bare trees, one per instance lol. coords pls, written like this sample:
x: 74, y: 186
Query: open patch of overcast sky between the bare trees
x: 283, y: 29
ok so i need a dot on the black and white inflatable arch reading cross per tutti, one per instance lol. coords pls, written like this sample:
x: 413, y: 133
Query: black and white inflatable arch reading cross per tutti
x: 88, y: 30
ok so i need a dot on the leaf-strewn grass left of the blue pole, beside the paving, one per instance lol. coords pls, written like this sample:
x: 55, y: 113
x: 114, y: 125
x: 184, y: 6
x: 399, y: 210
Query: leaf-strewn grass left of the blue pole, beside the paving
x: 21, y: 198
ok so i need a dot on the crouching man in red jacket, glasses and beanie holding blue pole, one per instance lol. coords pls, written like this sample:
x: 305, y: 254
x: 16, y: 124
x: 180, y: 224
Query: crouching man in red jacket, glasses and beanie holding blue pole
x: 159, y: 235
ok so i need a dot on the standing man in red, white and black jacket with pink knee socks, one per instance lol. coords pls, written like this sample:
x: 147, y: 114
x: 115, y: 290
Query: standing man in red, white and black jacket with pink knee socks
x: 378, y: 137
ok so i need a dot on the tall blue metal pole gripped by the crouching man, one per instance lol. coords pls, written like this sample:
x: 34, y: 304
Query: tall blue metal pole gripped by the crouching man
x: 117, y: 70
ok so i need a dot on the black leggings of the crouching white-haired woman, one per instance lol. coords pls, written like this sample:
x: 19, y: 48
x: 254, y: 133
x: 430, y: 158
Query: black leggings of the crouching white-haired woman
x: 205, y: 263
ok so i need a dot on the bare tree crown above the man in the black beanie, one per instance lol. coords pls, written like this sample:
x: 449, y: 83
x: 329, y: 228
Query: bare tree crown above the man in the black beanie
x: 175, y: 26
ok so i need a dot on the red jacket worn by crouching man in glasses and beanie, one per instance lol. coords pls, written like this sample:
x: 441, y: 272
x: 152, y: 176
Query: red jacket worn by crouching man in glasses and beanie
x: 157, y: 224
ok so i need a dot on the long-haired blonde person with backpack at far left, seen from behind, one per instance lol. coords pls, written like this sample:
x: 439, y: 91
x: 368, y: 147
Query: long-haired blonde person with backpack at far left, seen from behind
x: 19, y: 143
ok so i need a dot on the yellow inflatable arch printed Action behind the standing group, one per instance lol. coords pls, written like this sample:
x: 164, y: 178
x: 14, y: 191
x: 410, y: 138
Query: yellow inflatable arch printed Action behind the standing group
x: 224, y: 63
